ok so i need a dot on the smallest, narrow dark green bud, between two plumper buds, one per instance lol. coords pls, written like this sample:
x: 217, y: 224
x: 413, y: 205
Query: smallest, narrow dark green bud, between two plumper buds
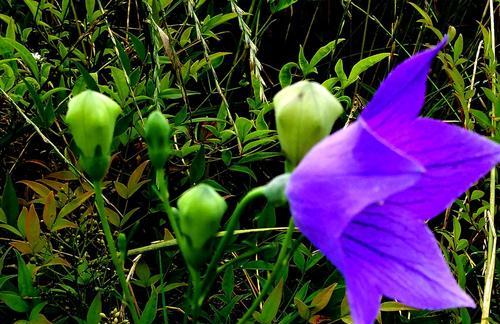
x: 158, y: 131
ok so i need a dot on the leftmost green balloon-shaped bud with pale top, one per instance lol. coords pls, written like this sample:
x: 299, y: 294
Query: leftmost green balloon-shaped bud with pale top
x: 91, y: 119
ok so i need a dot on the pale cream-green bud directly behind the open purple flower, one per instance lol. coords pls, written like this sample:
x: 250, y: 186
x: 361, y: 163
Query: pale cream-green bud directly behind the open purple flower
x: 305, y: 114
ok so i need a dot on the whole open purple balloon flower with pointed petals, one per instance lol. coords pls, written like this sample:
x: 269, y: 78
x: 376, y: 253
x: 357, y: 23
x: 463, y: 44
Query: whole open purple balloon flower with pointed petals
x: 363, y: 194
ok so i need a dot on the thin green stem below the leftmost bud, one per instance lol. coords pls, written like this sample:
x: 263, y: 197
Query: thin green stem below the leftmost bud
x: 112, y: 251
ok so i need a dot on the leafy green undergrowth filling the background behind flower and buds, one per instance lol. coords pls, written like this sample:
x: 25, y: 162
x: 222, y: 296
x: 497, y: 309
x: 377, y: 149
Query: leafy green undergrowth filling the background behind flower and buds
x: 211, y: 68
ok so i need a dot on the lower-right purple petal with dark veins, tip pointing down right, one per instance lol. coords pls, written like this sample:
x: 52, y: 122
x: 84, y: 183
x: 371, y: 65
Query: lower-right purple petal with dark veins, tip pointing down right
x: 398, y: 256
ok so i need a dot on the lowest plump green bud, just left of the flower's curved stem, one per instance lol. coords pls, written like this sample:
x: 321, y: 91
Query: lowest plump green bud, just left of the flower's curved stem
x: 200, y: 210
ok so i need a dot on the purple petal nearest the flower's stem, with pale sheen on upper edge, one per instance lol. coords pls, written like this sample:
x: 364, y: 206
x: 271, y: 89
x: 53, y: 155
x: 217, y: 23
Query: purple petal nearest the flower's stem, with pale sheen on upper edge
x: 340, y: 176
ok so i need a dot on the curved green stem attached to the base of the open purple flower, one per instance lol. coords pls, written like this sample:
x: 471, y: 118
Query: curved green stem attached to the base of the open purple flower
x: 211, y: 272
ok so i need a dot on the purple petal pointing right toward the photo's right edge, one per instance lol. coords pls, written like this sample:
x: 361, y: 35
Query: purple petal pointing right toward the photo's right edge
x: 453, y: 157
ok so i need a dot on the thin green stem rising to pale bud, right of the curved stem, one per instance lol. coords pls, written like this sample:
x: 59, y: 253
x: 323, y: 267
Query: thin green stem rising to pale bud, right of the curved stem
x: 280, y: 263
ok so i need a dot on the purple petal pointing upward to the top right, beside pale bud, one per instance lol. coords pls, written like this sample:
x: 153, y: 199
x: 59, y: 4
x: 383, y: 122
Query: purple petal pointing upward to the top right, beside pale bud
x: 401, y: 95
